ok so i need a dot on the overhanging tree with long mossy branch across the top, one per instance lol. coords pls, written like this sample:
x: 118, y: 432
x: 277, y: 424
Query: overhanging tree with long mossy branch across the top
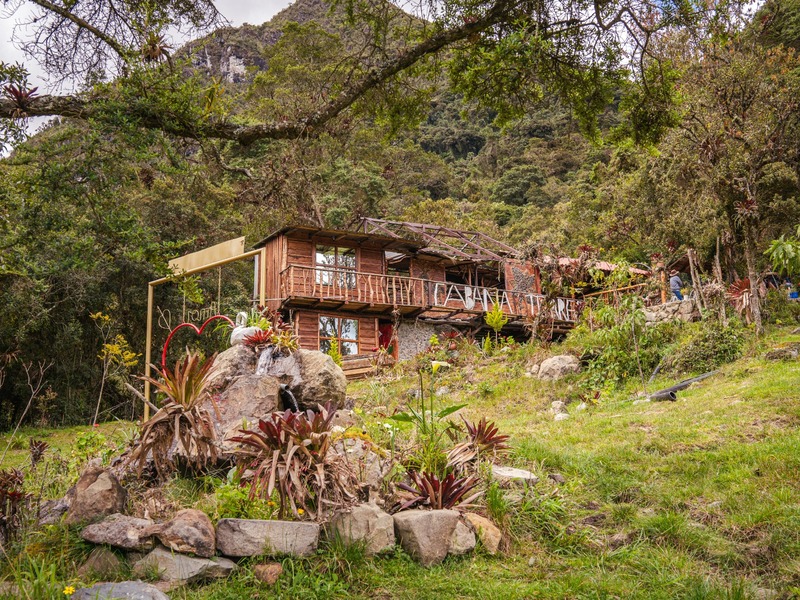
x: 500, y: 52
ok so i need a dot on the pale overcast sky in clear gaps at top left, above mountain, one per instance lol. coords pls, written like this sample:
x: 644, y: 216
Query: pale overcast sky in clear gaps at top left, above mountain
x: 254, y: 12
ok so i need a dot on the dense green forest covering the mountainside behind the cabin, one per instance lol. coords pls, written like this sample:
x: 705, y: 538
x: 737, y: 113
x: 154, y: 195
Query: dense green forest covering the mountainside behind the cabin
x: 698, y: 150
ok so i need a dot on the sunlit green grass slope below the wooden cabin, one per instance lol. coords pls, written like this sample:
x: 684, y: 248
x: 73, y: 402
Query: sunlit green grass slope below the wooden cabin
x: 694, y: 499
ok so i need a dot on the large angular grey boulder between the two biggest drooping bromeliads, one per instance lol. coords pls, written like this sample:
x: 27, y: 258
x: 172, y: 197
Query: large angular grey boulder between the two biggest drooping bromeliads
x: 248, y: 398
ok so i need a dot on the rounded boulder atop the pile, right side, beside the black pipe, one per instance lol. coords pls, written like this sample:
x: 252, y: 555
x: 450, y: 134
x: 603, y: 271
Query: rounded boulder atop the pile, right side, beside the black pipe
x: 311, y: 376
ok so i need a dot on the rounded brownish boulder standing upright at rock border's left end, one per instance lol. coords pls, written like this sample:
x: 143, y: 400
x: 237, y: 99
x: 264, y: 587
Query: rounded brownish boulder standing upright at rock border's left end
x: 97, y: 494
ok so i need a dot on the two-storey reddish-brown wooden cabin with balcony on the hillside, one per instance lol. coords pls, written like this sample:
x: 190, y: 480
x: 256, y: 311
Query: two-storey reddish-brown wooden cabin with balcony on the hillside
x: 391, y: 284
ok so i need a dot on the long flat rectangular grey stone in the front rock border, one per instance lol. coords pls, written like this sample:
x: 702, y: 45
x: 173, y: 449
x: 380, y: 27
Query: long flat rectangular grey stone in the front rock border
x: 253, y: 537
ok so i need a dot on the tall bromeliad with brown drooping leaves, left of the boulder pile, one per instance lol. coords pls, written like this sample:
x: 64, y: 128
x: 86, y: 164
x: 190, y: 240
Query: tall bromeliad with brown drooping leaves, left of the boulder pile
x: 182, y: 422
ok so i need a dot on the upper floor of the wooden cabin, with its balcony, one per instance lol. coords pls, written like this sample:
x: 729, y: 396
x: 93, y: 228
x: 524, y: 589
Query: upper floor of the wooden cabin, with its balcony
x: 374, y: 274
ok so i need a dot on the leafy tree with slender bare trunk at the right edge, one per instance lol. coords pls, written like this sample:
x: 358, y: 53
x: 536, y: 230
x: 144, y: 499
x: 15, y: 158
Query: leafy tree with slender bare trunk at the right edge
x: 737, y: 143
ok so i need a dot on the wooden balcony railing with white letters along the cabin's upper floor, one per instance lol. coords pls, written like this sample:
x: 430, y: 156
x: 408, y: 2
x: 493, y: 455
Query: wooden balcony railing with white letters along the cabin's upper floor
x: 355, y: 287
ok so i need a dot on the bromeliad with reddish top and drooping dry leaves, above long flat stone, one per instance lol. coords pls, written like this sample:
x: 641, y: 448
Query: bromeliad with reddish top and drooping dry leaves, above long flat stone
x: 289, y: 453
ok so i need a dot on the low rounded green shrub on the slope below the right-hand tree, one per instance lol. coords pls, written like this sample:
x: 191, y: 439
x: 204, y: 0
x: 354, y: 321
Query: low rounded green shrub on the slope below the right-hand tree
x: 708, y: 345
